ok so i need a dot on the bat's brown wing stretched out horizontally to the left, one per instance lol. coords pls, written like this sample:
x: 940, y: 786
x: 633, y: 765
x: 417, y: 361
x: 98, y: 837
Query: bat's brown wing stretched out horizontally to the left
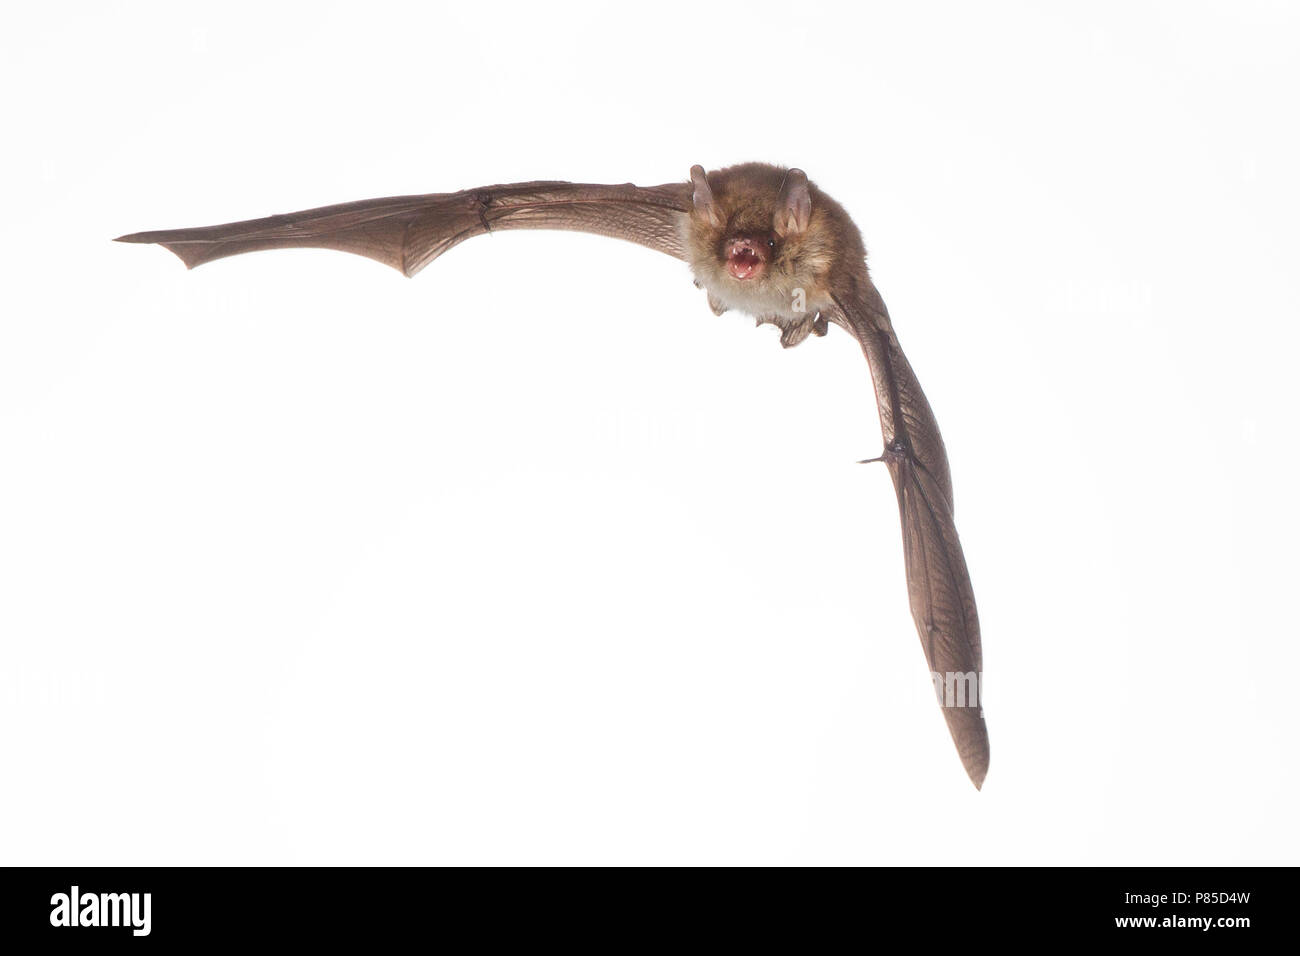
x: 410, y: 232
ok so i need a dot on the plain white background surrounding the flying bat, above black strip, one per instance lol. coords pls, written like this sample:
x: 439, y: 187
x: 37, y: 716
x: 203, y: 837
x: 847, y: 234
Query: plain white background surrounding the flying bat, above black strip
x: 535, y: 560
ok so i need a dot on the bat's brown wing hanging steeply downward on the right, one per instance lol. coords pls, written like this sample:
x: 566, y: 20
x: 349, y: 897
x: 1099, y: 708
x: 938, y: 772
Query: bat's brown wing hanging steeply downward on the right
x: 939, y: 589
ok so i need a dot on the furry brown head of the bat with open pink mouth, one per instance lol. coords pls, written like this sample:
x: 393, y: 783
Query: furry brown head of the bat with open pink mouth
x: 757, y: 240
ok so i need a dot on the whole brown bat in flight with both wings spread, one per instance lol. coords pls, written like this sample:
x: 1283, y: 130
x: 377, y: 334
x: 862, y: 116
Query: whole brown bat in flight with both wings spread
x: 761, y: 240
